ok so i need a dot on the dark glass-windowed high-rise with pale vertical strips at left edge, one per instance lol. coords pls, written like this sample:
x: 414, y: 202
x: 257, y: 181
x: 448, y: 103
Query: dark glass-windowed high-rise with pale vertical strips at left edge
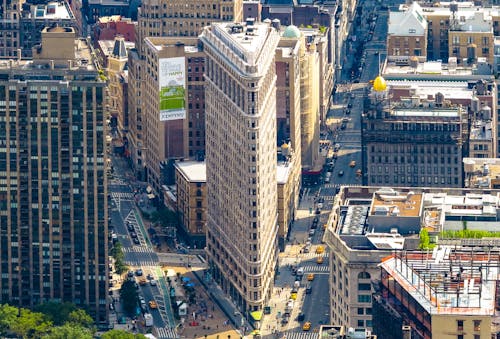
x: 53, y: 206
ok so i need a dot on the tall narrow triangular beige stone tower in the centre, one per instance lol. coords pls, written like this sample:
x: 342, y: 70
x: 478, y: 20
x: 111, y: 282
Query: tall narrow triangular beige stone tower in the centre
x: 241, y: 152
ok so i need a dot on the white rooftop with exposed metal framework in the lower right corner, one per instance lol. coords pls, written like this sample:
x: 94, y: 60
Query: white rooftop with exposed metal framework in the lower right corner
x: 447, y: 281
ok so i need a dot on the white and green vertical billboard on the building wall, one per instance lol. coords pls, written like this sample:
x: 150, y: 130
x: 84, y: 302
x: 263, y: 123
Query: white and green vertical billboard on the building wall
x: 172, y: 81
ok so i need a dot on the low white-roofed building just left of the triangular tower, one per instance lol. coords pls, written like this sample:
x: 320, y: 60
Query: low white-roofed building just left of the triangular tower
x: 191, y: 182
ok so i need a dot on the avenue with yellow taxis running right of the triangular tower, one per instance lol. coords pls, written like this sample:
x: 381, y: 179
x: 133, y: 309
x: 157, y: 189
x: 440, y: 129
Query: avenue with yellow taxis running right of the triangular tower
x: 343, y: 130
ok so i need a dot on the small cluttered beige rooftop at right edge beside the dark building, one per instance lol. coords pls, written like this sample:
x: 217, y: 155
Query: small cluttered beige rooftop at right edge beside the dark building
x: 482, y: 172
